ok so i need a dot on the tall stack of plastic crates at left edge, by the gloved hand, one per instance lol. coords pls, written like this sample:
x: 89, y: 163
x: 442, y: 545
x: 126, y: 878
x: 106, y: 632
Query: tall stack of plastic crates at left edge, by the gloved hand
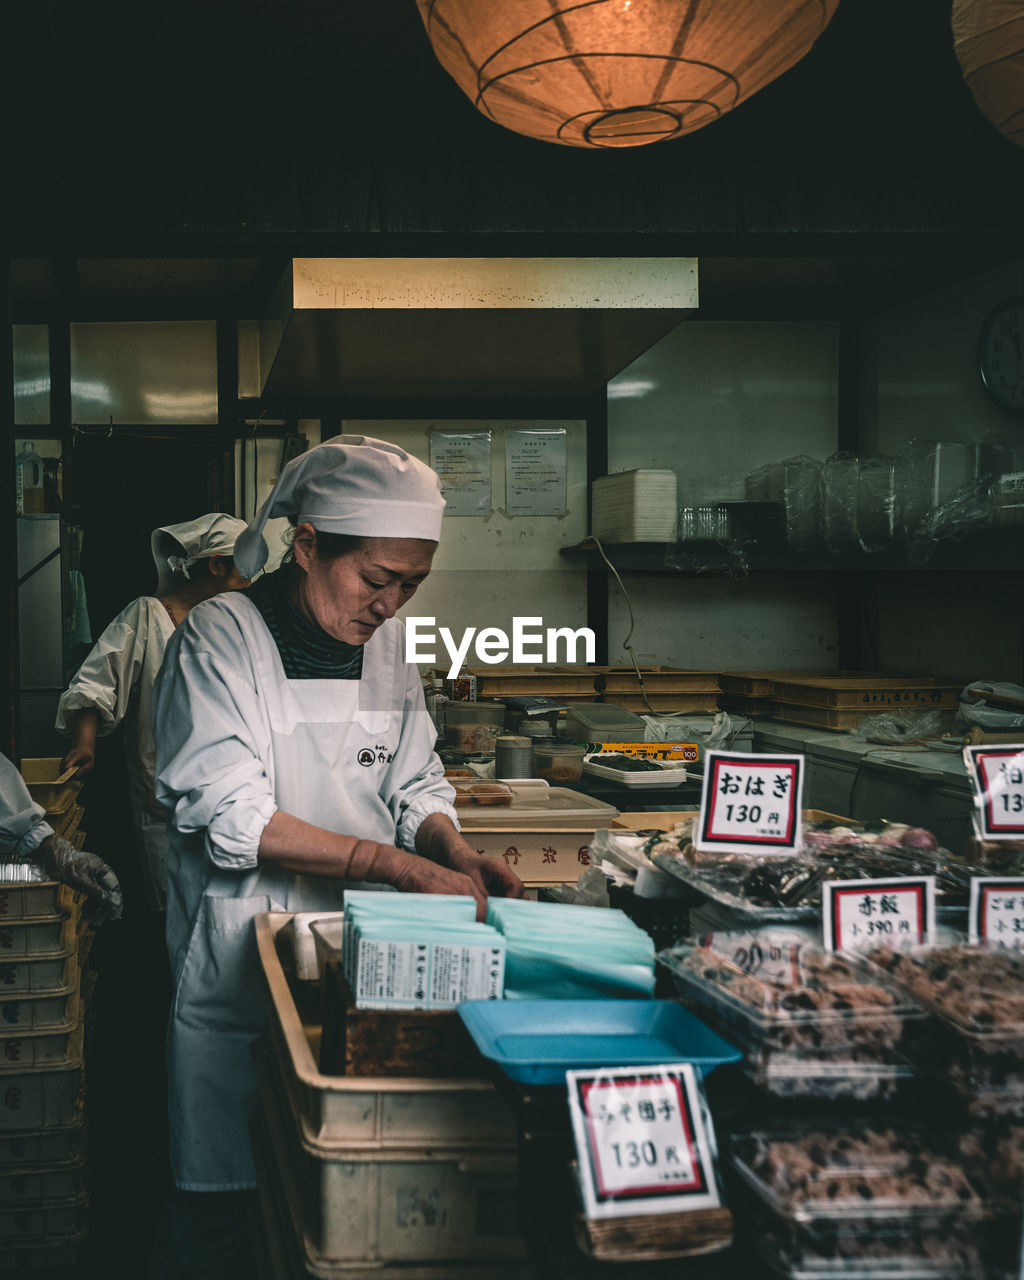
x: 44, y: 947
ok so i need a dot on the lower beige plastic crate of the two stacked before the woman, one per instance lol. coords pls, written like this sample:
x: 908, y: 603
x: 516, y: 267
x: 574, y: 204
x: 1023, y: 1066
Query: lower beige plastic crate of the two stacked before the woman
x: 390, y: 1209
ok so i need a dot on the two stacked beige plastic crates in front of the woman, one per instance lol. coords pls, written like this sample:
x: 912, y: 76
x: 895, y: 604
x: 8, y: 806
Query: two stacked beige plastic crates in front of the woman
x: 390, y: 1177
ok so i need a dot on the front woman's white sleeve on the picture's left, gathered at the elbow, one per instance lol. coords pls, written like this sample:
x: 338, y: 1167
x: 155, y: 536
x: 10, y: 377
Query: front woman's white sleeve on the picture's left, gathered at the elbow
x: 213, y: 739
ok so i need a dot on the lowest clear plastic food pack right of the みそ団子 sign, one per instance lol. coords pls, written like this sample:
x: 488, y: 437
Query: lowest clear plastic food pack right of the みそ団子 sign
x: 861, y: 1205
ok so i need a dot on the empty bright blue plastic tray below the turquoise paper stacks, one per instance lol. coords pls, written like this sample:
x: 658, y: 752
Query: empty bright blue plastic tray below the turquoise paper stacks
x: 538, y: 1041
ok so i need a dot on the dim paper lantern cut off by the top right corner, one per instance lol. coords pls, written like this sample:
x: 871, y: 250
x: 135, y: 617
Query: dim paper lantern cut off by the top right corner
x: 989, y: 38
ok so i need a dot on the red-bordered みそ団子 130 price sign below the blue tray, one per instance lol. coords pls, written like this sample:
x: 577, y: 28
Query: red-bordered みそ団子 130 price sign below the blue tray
x: 644, y: 1141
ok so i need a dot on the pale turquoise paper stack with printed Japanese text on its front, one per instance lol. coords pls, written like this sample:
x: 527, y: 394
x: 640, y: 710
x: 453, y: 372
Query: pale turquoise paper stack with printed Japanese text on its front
x: 419, y: 952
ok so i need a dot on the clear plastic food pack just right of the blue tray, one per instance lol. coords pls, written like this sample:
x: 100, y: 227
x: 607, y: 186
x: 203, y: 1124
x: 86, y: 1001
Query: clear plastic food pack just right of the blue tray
x: 811, y: 1023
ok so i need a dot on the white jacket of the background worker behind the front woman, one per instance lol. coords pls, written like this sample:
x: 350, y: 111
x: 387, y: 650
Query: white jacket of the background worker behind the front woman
x: 116, y: 680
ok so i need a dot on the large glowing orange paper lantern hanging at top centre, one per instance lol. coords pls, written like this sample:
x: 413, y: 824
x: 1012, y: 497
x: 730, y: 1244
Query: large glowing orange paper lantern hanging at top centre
x: 618, y: 74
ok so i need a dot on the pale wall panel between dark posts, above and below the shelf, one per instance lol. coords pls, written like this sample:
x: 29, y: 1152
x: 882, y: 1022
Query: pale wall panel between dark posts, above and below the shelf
x: 714, y: 401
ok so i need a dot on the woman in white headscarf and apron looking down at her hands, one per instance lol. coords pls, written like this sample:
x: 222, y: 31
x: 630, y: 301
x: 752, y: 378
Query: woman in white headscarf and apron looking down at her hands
x: 296, y: 758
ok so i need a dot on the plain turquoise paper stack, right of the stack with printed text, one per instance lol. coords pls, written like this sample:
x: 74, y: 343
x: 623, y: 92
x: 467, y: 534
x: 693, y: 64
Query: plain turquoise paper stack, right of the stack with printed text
x: 557, y: 952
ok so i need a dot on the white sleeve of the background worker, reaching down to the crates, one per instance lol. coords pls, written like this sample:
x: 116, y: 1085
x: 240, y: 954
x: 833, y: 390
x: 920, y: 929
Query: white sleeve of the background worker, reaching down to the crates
x: 106, y: 680
